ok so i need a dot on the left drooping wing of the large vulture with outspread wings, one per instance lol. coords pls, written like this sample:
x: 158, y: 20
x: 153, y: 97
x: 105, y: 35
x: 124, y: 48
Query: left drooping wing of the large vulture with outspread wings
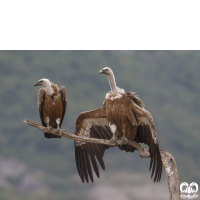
x: 91, y: 124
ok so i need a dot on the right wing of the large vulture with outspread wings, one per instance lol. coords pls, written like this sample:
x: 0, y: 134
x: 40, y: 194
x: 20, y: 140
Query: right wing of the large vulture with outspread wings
x: 146, y: 133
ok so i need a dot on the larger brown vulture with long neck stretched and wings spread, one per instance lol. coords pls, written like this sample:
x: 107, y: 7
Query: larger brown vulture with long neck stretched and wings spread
x: 122, y: 116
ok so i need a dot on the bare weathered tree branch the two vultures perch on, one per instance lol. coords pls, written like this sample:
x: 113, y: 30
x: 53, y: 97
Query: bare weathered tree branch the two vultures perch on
x: 167, y: 159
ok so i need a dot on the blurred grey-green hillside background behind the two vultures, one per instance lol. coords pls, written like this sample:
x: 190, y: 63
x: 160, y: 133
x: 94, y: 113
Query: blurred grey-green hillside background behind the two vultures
x: 32, y: 167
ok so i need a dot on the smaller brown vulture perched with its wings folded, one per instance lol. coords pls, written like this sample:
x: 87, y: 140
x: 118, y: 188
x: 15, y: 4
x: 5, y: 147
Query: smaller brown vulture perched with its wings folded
x: 52, y: 104
